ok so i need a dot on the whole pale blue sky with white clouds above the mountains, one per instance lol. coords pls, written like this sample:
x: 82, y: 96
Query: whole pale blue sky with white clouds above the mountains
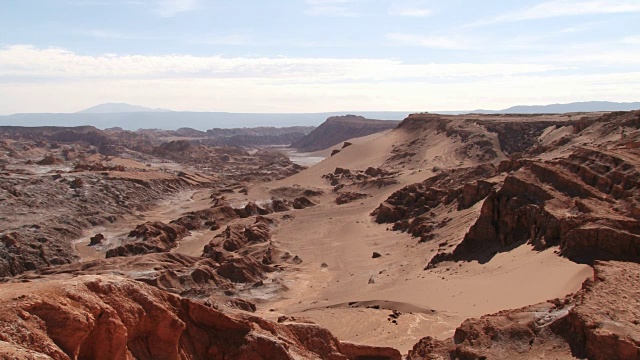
x: 316, y: 55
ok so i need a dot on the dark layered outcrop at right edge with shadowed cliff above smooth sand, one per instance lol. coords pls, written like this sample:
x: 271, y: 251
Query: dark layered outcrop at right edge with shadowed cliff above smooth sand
x: 585, y: 204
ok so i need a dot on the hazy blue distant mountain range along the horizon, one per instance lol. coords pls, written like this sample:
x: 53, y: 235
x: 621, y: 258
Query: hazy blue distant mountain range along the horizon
x: 132, y: 117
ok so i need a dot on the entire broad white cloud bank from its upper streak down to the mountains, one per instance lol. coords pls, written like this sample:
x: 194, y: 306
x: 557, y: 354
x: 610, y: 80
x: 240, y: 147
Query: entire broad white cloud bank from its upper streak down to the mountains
x: 58, y: 80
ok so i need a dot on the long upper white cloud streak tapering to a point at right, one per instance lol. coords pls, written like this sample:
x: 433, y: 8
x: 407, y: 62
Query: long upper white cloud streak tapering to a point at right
x: 53, y: 63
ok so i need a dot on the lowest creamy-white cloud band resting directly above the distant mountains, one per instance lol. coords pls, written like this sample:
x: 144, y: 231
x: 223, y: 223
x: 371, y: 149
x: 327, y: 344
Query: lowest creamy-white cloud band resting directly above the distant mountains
x: 254, y: 95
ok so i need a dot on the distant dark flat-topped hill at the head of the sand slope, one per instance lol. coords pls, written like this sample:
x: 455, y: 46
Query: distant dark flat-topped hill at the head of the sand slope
x: 340, y: 128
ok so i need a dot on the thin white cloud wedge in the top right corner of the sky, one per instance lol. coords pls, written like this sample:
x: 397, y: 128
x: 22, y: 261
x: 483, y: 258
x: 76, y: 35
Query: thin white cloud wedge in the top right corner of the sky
x: 551, y: 9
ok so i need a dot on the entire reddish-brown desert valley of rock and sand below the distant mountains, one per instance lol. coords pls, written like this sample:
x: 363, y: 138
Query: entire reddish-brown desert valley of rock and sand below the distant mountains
x: 474, y: 236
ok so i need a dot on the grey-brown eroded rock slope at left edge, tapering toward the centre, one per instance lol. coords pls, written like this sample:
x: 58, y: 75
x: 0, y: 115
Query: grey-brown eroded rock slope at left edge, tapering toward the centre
x: 49, y: 212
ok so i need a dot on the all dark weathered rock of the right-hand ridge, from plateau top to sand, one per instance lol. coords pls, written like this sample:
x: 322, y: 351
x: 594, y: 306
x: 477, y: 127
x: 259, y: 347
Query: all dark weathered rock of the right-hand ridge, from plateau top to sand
x: 582, y: 198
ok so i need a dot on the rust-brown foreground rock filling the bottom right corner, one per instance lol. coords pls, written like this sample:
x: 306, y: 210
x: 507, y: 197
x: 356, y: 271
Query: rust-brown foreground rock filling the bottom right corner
x: 599, y: 322
